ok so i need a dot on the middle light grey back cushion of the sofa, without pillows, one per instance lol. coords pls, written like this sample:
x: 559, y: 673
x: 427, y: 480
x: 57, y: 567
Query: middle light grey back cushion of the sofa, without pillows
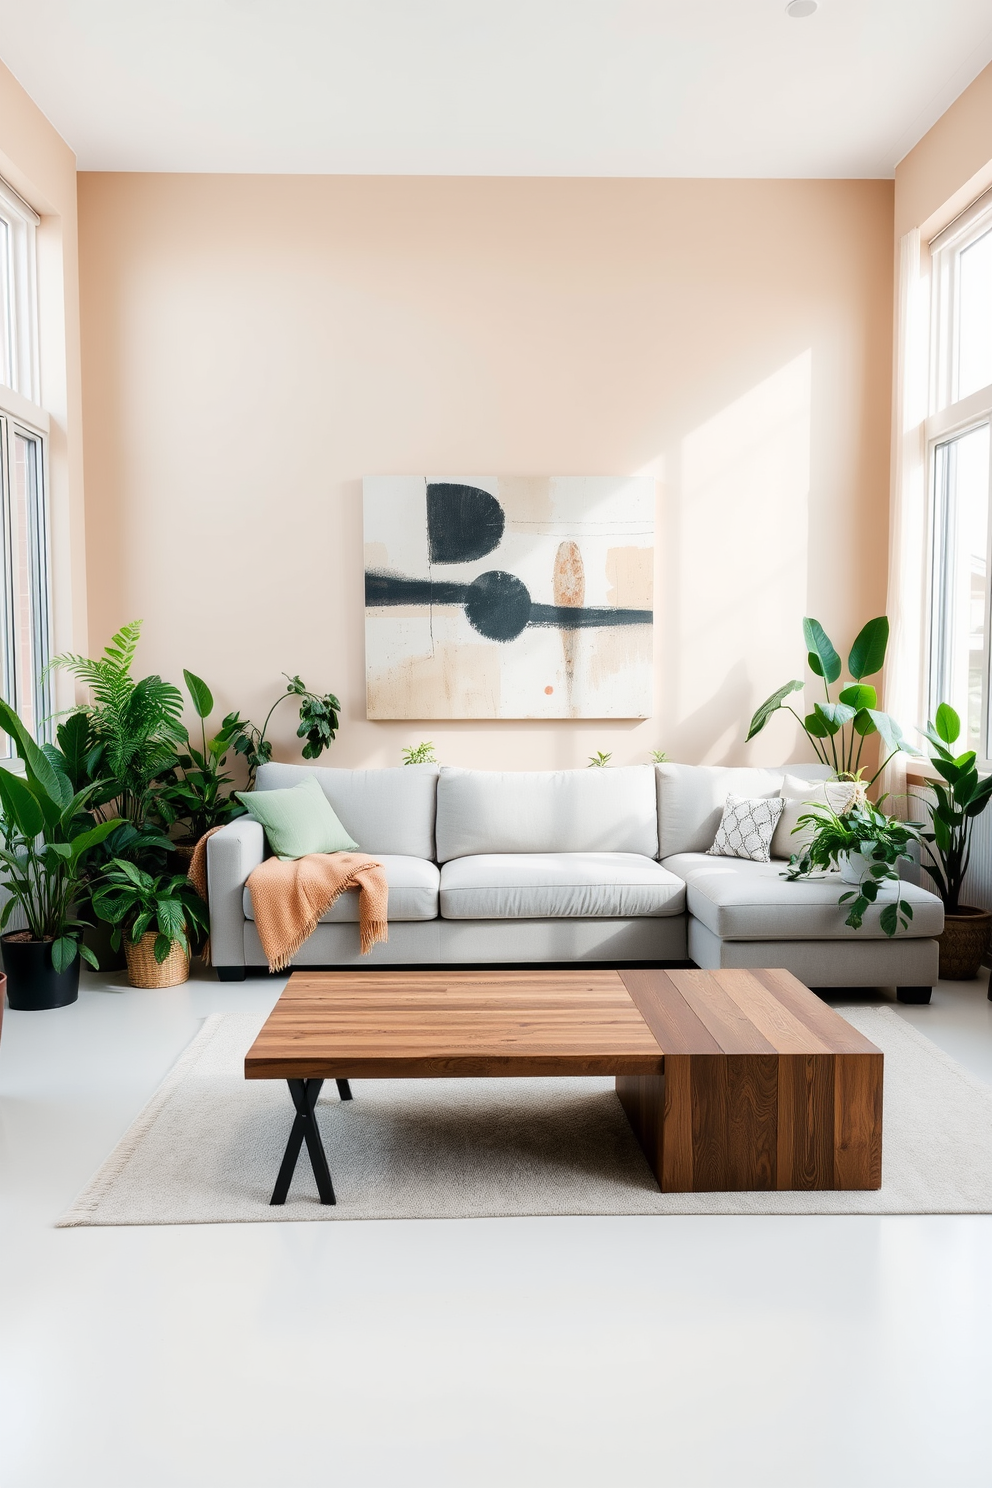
x: 547, y: 812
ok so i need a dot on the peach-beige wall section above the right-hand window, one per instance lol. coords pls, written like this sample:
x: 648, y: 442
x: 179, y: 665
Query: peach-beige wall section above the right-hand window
x: 951, y: 166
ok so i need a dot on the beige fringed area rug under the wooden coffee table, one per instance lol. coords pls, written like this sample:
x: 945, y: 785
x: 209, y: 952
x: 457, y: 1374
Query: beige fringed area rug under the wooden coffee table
x: 207, y: 1148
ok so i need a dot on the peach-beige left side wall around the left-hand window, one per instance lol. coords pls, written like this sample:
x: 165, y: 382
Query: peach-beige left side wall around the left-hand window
x: 38, y: 163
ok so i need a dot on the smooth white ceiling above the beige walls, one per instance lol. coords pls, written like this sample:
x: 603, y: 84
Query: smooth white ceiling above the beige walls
x: 495, y: 87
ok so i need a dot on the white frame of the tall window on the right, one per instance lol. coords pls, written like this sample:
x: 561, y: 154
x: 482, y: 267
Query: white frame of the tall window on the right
x: 951, y: 417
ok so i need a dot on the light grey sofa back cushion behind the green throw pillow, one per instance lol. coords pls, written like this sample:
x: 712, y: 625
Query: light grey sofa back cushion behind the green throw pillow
x: 384, y: 810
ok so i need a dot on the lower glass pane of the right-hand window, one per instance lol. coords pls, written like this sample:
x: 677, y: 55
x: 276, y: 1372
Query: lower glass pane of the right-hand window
x: 962, y: 620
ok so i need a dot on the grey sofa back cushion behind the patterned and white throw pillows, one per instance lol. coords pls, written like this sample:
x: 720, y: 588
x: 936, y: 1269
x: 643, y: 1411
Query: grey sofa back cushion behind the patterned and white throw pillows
x: 691, y: 800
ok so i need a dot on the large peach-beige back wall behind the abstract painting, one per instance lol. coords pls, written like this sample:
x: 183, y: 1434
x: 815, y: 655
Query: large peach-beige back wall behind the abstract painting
x: 254, y: 346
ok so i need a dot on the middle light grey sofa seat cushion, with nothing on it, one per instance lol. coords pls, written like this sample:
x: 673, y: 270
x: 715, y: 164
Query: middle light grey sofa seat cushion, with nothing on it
x: 558, y: 886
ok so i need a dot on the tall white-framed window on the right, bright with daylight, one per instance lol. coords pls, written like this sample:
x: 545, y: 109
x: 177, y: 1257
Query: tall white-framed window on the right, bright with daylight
x: 960, y: 449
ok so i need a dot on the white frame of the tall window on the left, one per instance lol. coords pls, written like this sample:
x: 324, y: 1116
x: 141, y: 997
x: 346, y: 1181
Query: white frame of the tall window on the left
x: 22, y: 413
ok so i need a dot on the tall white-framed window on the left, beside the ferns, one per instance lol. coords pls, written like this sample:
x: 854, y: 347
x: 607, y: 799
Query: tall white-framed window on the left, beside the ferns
x: 25, y: 523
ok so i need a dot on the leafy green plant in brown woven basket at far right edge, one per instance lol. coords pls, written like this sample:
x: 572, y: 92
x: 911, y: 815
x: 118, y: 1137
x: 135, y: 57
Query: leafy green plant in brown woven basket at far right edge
x: 959, y: 801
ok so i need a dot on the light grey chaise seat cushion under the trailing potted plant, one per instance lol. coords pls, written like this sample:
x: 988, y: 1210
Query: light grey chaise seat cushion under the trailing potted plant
x: 743, y: 901
